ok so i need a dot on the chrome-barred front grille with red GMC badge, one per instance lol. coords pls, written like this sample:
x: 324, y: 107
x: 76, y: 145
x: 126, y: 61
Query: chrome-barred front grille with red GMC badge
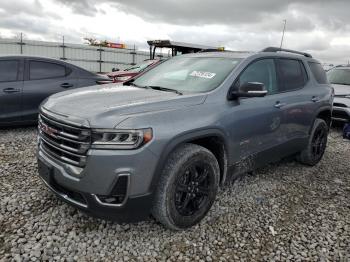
x: 63, y: 141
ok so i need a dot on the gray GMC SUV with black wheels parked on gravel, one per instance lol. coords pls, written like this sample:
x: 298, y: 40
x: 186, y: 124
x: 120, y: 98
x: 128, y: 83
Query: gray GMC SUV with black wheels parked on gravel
x: 161, y: 144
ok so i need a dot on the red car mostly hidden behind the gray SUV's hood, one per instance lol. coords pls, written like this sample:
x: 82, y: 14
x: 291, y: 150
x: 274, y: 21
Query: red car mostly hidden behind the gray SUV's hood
x: 124, y: 75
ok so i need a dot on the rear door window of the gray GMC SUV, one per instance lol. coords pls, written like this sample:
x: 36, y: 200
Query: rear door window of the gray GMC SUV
x: 292, y: 74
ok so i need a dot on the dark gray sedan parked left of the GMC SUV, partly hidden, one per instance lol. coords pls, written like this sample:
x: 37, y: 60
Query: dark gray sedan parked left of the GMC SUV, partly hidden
x: 26, y: 81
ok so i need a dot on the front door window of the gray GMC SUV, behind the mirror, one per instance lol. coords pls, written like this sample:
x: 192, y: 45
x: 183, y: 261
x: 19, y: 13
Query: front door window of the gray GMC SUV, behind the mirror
x: 262, y: 71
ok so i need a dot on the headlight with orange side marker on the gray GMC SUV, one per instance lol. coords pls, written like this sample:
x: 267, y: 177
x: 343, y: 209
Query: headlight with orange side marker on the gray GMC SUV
x: 120, y: 139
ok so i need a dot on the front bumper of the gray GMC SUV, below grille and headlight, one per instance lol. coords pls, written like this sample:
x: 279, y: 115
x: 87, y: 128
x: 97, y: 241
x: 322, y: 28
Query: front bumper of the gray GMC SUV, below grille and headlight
x: 99, y: 178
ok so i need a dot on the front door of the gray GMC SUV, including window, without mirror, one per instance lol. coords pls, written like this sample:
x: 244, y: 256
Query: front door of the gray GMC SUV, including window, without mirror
x: 256, y: 121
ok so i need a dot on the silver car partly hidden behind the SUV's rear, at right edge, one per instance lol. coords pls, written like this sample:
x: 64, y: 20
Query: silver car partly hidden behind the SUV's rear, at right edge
x: 339, y: 77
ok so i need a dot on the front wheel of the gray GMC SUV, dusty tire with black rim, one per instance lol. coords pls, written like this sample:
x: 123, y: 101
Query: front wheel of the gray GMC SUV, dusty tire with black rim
x: 187, y: 187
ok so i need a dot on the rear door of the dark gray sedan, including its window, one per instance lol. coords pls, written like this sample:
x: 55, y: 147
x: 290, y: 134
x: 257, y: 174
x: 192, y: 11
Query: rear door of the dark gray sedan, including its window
x: 42, y: 79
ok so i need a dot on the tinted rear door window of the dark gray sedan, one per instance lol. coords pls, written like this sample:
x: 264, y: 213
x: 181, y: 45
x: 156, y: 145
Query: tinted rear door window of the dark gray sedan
x: 43, y: 70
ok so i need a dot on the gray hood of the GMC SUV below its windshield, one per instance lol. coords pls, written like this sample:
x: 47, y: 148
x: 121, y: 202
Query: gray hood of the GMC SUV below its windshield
x: 110, y: 104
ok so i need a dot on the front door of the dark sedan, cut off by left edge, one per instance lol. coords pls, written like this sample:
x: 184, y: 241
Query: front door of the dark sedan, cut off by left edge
x: 11, y: 84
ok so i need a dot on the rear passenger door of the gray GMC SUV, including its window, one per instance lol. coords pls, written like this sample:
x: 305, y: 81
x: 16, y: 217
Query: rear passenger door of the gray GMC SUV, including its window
x: 295, y: 98
